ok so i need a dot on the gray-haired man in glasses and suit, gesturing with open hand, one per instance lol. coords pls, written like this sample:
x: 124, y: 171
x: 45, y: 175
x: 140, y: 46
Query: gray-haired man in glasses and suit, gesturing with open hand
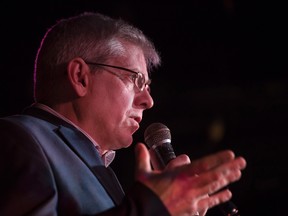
x: 91, y: 86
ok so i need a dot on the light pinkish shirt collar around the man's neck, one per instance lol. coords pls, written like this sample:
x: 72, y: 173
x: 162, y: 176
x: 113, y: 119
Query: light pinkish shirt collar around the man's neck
x: 107, y: 158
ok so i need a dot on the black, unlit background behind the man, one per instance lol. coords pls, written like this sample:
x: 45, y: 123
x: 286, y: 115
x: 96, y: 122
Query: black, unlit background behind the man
x: 222, y: 84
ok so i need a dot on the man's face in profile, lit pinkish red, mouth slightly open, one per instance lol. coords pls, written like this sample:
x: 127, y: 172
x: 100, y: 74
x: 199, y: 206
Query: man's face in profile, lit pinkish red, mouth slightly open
x: 114, y: 104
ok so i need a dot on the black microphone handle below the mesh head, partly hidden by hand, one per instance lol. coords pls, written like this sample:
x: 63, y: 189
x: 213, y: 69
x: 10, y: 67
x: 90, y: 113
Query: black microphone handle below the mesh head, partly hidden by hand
x: 161, y: 157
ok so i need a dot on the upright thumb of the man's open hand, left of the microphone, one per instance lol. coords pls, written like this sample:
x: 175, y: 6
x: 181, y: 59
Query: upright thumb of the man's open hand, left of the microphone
x: 142, y: 158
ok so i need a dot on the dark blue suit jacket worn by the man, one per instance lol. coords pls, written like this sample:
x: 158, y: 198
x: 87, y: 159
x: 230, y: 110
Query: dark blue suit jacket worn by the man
x: 48, y: 167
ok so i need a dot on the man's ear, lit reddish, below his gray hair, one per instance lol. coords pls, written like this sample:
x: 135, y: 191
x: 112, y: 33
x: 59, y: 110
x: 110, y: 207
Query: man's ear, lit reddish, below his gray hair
x: 78, y: 75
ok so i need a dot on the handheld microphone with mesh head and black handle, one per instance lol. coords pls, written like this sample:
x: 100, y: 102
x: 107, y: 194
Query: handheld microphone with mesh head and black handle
x: 157, y: 137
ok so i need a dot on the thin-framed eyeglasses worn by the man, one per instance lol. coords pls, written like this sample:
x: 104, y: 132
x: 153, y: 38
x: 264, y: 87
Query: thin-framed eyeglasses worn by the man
x: 138, y: 78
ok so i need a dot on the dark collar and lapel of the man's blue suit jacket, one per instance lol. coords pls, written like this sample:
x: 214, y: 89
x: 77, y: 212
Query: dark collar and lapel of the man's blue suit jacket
x: 85, y: 150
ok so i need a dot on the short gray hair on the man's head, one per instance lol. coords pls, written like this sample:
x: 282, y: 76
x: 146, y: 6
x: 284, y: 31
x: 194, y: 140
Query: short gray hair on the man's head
x: 91, y: 36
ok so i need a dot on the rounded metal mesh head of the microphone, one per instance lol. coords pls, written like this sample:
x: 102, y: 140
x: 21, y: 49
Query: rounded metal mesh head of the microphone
x: 155, y: 133
